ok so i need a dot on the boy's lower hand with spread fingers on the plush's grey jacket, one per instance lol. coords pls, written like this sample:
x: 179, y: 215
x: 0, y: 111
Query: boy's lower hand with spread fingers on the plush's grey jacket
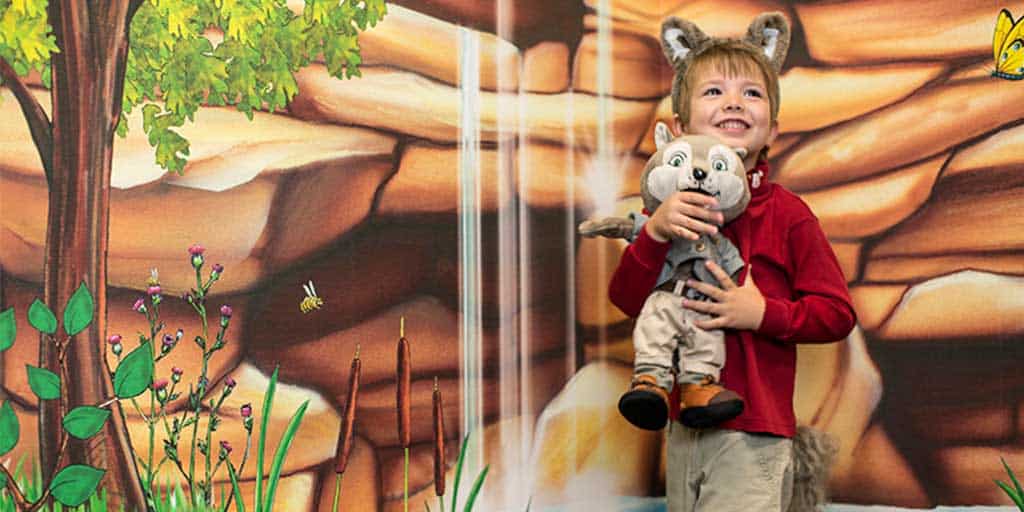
x: 737, y: 308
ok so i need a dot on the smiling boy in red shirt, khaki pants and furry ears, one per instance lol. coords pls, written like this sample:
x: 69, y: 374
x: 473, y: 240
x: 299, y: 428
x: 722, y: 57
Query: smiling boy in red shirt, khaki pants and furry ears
x: 792, y: 292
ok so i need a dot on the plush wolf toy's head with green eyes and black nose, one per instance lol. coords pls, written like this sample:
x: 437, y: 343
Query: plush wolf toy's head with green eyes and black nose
x: 697, y: 163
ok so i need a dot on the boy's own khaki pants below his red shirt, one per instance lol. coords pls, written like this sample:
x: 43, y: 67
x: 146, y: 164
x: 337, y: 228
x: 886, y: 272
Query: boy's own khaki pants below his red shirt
x: 714, y: 471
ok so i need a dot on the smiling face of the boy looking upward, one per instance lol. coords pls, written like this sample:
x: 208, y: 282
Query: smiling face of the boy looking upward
x: 734, y: 109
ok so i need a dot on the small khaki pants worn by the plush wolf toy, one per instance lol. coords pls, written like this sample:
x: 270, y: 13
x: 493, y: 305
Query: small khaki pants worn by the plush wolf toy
x: 665, y: 327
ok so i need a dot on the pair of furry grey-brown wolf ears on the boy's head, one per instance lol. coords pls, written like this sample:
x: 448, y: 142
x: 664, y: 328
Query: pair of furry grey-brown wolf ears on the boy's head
x: 770, y: 34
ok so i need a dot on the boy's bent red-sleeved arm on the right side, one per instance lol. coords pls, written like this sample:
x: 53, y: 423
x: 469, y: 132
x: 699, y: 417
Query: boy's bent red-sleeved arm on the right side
x: 823, y: 313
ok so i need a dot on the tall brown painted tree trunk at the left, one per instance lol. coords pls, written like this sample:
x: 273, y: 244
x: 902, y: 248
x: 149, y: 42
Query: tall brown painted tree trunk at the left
x: 89, y: 81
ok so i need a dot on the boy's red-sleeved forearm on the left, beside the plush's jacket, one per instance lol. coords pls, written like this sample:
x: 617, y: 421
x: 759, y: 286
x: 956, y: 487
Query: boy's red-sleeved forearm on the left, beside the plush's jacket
x: 637, y: 273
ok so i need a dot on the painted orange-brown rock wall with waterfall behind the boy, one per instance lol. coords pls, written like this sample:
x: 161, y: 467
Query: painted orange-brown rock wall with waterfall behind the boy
x: 444, y: 187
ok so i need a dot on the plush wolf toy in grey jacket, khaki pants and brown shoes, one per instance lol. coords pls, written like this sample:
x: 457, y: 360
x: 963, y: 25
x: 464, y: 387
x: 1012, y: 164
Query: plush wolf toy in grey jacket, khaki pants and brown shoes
x: 669, y: 347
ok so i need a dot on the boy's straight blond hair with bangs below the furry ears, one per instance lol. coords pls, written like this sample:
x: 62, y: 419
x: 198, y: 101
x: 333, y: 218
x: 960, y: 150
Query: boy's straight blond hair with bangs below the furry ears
x: 732, y: 59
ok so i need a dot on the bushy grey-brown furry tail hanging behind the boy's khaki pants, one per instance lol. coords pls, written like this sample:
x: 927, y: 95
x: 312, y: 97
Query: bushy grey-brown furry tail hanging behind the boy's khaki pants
x: 814, y: 455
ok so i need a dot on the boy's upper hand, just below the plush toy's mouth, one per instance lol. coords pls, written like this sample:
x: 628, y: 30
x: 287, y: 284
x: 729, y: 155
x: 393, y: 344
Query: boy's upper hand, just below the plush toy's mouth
x: 685, y: 216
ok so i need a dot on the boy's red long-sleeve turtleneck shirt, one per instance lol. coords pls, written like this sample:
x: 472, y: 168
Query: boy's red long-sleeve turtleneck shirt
x: 806, y: 301
